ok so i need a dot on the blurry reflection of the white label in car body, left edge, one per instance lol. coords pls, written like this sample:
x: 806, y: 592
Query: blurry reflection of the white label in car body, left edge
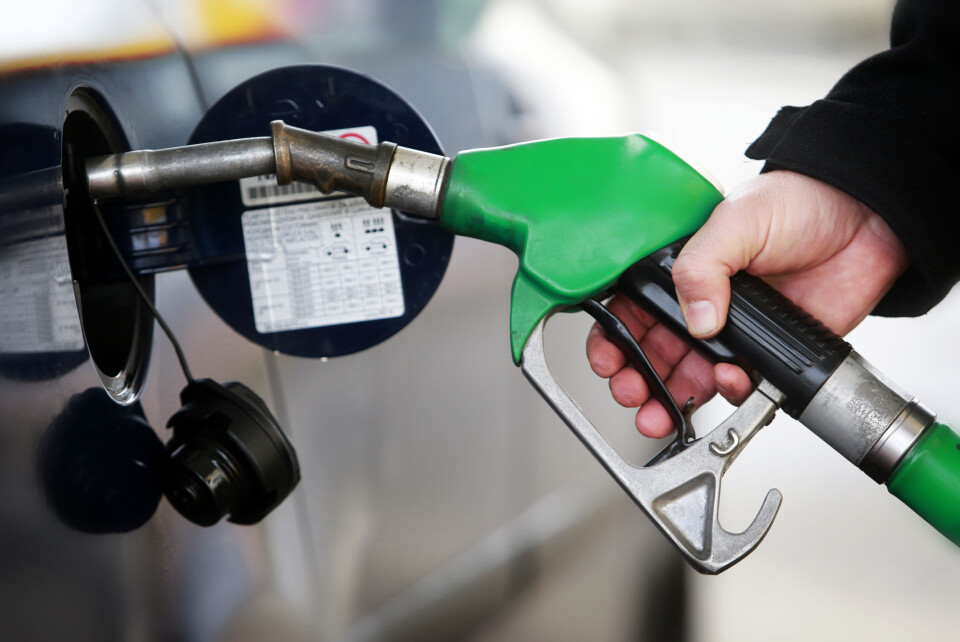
x: 38, y: 311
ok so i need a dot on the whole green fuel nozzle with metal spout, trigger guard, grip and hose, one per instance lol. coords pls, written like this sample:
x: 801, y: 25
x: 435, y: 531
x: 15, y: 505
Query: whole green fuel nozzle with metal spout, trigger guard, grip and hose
x: 587, y: 216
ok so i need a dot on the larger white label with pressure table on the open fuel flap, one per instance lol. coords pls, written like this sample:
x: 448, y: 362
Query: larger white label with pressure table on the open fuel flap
x: 321, y: 263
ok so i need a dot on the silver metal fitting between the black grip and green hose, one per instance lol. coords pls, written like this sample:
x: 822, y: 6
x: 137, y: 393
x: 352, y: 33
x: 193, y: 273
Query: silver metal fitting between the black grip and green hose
x: 866, y: 417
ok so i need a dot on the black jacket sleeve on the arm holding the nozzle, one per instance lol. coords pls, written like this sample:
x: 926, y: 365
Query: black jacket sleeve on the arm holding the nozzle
x: 888, y: 134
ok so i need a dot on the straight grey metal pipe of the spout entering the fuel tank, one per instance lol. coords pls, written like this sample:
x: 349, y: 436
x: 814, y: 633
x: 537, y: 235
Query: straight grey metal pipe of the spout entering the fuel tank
x: 147, y: 171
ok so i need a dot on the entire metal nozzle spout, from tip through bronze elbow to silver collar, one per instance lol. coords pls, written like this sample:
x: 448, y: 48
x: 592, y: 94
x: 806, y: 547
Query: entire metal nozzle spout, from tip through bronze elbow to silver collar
x: 385, y: 175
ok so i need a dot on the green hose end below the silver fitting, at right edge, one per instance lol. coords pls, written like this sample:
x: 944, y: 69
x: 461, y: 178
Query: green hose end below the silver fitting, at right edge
x: 928, y: 479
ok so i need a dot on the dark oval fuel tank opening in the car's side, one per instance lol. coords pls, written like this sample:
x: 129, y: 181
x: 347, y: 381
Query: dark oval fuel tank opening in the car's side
x: 117, y: 326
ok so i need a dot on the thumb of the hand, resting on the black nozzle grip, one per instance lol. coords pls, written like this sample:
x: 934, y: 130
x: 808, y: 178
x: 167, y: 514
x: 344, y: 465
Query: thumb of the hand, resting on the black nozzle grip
x: 726, y: 244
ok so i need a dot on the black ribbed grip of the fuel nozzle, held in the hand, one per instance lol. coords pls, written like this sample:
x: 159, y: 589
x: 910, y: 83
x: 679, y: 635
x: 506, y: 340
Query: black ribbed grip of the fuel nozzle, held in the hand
x: 765, y: 332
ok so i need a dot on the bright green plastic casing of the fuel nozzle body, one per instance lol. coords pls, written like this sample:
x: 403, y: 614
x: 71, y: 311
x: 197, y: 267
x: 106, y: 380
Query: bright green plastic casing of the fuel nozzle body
x: 576, y: 211
